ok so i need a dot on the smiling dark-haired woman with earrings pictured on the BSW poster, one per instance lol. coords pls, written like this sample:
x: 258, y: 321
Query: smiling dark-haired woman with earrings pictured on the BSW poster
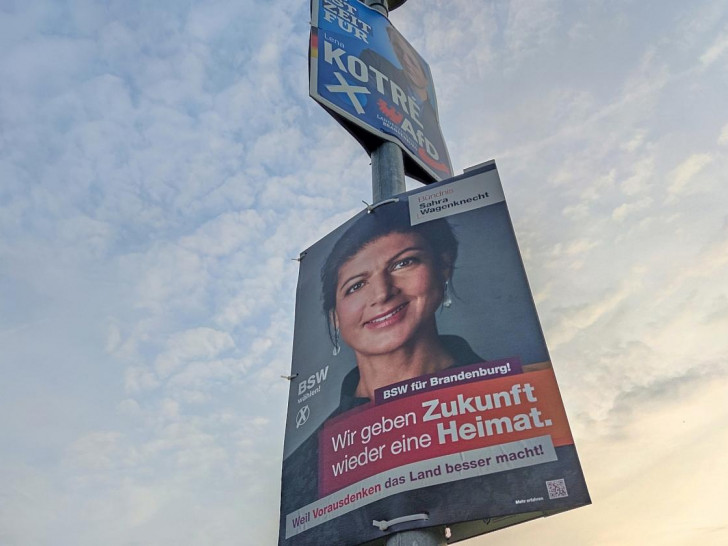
x: 382, y: 284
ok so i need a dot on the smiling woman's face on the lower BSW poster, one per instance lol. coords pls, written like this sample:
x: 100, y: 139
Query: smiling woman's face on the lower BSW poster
x: 387, y: 294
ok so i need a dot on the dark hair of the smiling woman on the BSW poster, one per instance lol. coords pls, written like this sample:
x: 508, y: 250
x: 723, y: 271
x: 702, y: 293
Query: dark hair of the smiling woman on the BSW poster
x: 383, y: 220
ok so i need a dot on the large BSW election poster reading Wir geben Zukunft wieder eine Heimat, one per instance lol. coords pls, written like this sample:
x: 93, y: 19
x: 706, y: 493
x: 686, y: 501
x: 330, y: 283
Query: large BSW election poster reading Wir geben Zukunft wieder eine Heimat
x: 422, y: 385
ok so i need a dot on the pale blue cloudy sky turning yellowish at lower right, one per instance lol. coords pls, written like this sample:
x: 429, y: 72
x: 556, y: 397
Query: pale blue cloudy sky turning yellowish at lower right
x: 161, y: 164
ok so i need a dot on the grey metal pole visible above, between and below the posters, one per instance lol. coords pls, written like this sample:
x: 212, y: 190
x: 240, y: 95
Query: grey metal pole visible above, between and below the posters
x: 388, y: 180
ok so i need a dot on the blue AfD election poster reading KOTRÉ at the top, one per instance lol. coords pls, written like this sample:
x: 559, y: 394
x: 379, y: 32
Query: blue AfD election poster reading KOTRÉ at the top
x: 376, y: 85
